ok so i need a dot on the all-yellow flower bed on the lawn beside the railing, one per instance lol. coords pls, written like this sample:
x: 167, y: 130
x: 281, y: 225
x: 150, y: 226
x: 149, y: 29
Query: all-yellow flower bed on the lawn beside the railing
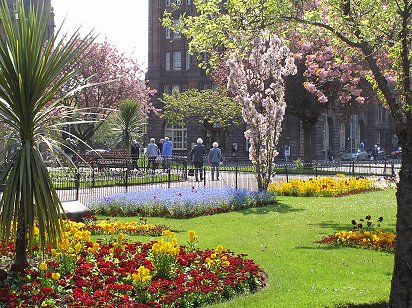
x: 335, y: 186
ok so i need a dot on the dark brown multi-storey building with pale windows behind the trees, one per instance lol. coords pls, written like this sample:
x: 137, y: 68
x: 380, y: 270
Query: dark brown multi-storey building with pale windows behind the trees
x: 172, y: 68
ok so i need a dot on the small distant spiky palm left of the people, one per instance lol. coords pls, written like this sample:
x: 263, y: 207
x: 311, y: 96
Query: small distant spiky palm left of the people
x: 128, y: 122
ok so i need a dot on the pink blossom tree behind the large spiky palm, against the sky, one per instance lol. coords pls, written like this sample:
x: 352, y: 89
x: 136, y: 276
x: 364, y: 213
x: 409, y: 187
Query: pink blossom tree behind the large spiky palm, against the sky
x: 116, y: 77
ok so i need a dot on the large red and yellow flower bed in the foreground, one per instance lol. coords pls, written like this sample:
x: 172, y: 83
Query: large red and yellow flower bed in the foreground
x: 115, y: 273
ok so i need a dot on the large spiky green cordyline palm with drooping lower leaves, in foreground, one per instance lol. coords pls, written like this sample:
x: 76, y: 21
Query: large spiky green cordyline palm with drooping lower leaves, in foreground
x: 31, y: 73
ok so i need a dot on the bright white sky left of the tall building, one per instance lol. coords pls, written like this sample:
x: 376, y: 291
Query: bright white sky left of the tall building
x: 123, y: 22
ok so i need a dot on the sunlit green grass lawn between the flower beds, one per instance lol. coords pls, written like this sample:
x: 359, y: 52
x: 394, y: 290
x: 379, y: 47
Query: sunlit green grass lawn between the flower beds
x: 282, y: 239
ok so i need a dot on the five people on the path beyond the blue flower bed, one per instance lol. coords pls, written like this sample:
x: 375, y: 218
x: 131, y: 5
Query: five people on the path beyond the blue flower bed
x: 162, y: 153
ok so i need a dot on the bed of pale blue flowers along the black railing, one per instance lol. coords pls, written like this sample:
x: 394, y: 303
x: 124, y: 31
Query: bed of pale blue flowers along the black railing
x: 180, y: 202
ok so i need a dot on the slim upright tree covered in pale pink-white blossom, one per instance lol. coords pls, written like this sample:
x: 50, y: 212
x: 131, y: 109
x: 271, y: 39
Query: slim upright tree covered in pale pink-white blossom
x: 257, y: 83
